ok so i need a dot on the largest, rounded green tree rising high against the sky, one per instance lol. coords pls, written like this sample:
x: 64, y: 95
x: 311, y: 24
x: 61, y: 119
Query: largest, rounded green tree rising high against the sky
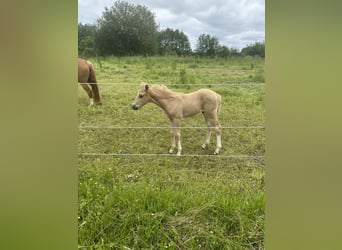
x: 126, y: 29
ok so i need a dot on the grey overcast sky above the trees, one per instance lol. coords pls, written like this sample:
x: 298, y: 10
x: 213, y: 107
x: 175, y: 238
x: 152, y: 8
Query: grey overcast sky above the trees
x: 236, y: 23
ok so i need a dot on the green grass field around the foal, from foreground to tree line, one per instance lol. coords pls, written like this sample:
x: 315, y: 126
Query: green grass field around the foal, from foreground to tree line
x: 133, y: 195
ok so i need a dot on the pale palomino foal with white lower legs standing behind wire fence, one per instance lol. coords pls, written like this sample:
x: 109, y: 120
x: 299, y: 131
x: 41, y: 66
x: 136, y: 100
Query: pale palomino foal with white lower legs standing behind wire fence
x: 180, y: 105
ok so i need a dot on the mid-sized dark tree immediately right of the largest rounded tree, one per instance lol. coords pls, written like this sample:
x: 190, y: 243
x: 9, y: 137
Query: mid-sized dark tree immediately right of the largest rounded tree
x: 173, y: 42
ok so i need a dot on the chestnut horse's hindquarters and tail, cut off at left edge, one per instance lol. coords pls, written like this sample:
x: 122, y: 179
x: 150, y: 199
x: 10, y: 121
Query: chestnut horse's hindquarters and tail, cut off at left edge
x: 86, y: 78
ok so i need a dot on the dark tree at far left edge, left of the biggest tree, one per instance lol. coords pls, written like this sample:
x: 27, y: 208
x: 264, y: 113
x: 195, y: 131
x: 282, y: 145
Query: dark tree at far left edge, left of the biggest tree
x: 86, y: 44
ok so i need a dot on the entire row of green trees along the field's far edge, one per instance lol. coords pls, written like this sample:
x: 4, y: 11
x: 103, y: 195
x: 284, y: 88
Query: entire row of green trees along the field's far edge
x: 126, y: 30
